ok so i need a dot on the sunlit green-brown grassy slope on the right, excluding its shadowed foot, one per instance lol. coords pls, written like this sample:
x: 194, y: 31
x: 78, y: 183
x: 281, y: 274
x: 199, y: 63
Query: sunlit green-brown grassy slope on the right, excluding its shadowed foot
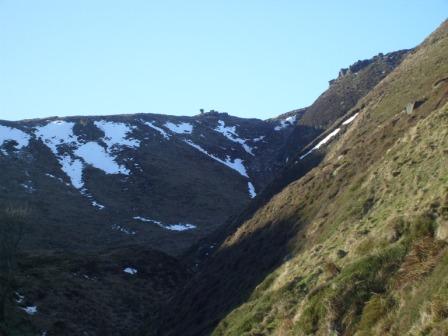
x: 374, y: 260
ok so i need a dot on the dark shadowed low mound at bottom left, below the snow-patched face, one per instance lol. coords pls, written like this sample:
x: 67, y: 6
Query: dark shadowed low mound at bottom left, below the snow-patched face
x: 108, y: 293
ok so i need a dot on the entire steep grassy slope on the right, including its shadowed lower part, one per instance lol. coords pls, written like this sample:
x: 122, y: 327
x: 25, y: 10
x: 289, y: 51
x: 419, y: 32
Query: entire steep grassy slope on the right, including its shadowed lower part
x: 358, y: 245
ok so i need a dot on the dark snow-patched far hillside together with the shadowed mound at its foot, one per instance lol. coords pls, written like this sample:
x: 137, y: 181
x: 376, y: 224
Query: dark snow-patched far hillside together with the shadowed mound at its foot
x: 100, y: 192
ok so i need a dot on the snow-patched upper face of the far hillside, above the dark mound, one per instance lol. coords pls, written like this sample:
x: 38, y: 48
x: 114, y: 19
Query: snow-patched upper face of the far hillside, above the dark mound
x: 152, y: 179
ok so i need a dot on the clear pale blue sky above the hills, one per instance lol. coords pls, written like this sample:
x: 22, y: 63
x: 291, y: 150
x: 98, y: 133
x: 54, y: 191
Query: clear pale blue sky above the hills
x: 251, y: 58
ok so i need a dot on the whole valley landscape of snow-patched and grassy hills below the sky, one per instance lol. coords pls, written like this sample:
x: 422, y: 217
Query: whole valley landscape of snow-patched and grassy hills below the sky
x: 317, y: 222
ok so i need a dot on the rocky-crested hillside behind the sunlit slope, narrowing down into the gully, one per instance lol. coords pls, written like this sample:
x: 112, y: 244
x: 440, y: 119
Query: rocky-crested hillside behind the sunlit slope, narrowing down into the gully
x: 310, y: 129
